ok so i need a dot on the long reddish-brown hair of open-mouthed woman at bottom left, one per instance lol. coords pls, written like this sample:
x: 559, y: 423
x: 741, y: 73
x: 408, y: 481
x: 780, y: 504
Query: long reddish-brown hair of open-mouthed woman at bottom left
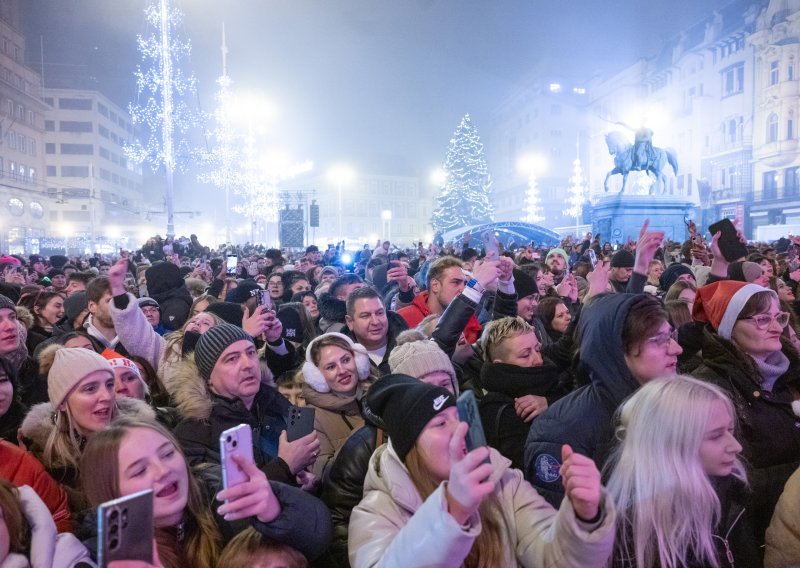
x: 100, y: 463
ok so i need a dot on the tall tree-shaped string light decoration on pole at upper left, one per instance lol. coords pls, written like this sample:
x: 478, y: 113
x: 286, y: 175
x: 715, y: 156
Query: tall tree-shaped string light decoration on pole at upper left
x: 161, y: 106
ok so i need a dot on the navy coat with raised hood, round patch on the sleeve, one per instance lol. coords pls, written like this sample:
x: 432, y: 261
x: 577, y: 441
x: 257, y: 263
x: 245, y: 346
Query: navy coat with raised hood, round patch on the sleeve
x: 584, y: 418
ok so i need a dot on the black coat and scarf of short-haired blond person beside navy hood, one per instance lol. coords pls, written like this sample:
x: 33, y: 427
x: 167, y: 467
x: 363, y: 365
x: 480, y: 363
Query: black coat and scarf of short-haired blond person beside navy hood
x: 505, y: 430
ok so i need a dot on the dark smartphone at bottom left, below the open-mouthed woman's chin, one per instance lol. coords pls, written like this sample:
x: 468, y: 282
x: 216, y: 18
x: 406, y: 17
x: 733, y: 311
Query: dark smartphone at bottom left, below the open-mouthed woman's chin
x: 125, y: 529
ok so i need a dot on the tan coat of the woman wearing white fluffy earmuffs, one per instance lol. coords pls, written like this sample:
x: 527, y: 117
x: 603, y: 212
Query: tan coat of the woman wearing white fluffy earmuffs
x: 335, y: 419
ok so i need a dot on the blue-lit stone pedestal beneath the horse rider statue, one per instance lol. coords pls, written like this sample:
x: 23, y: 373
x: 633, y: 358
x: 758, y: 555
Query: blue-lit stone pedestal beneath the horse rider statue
x: 619, y: 217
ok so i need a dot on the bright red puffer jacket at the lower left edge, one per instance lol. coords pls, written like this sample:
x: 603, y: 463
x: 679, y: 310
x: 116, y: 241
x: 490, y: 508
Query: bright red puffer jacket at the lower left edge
x: 19, y: 468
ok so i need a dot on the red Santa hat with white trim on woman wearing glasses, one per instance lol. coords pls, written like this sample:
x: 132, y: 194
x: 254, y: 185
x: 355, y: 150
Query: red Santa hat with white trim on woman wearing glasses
x: 721, y: 303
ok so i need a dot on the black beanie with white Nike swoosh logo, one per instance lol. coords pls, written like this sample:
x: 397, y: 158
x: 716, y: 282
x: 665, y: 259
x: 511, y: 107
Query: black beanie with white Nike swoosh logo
x: 406, y: 405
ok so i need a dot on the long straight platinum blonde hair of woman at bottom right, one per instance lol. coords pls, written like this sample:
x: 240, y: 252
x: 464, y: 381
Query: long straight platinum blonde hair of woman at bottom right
x: 668, y: 506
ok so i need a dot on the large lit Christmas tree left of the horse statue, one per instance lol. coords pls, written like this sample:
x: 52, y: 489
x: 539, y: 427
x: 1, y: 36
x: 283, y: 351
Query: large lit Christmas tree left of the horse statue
x: 465, y: 192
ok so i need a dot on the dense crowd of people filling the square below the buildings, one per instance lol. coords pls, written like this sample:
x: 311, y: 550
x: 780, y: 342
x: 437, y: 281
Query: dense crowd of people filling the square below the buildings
x: 641, y: 404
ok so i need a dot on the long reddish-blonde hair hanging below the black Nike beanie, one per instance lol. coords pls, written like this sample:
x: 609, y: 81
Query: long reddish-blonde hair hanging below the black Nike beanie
x: 490, y: 546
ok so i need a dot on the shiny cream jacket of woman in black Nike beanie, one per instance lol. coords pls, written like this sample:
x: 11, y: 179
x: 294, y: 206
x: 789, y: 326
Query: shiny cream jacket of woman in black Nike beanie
x: 393, y: 526
